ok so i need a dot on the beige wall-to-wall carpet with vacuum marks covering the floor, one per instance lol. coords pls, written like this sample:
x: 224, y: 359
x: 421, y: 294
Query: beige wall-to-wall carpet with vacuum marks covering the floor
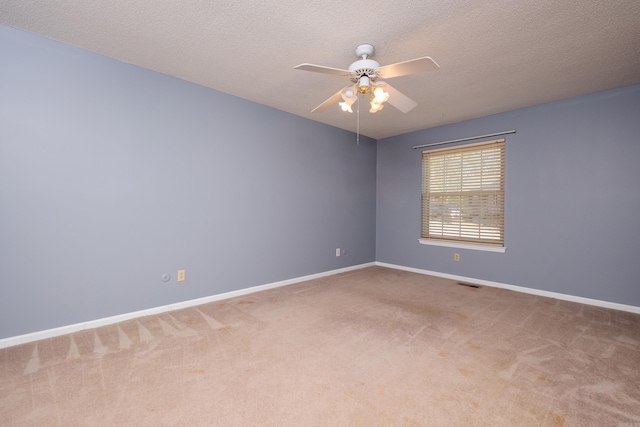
x: 372, y: 347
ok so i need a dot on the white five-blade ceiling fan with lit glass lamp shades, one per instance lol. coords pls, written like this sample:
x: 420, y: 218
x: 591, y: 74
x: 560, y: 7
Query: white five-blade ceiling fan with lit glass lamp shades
x: 367, y: 77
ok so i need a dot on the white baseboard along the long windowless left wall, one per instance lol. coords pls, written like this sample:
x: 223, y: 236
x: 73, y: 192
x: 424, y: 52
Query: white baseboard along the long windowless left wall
x: 50, y: 333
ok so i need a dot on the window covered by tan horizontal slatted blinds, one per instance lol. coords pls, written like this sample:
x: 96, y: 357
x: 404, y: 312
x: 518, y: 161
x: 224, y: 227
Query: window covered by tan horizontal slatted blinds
x: 463, y: 194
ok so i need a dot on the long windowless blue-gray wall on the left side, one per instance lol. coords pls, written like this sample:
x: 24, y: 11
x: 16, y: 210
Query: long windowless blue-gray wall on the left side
x: 111, y: 175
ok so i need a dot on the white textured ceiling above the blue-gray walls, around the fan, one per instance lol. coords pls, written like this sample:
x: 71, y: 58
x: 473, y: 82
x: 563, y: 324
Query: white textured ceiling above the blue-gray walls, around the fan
x: 494, y: 56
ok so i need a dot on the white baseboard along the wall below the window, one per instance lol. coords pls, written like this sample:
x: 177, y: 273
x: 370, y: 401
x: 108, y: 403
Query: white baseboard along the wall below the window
x: 556, y: 295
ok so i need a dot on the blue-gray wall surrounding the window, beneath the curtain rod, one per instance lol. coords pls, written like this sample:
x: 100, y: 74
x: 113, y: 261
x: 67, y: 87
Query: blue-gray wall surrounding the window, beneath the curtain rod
x: 572, y: 199
